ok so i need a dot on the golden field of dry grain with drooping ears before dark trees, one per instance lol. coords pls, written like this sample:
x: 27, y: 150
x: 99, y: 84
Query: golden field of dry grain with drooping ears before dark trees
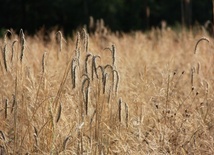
x: 107, y: 93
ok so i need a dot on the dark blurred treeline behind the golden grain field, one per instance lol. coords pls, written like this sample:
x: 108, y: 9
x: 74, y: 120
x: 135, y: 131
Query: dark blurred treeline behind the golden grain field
x: 124, y: 15
